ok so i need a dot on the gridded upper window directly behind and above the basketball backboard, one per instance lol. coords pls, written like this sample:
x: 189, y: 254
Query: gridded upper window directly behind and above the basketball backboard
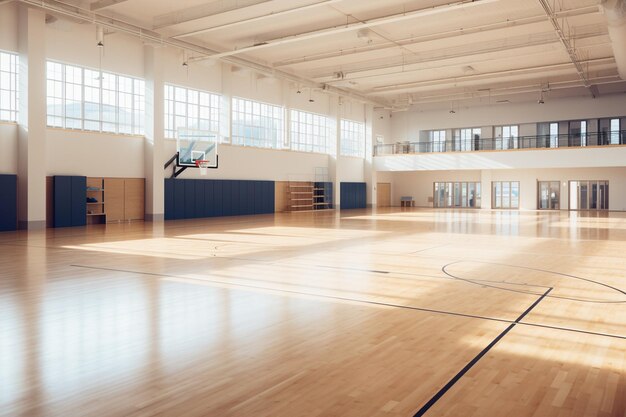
x: 190, y: 109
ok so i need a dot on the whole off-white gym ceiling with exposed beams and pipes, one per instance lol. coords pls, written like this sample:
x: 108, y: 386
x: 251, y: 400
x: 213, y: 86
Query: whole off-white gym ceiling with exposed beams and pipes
x: 420, y: 52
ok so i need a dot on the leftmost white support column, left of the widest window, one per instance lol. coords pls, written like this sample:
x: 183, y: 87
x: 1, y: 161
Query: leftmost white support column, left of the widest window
x: 31, y: 153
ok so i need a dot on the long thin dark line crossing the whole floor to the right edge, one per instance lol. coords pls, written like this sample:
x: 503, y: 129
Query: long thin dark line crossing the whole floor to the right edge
x: 333, y: 297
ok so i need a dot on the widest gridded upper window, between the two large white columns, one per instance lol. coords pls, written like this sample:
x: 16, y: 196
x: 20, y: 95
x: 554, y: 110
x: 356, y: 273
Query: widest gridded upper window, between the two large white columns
x: 81, y: 98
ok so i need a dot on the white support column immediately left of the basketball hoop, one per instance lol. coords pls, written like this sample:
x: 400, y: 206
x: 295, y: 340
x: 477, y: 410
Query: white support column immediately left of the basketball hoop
x: 154, y: 142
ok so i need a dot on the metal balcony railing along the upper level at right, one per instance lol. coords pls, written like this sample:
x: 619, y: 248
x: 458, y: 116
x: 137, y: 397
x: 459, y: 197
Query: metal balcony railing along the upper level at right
x: 458, y: 144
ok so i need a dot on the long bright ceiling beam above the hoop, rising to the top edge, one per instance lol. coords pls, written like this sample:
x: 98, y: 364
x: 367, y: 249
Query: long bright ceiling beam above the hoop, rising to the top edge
x: 429, y: 11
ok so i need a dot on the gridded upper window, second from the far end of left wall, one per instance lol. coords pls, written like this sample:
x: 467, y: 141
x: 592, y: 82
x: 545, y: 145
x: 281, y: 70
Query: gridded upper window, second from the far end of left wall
x: 311, y: 132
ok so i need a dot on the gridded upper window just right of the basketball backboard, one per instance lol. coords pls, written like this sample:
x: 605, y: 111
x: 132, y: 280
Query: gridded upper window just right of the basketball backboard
x: 257, y: 124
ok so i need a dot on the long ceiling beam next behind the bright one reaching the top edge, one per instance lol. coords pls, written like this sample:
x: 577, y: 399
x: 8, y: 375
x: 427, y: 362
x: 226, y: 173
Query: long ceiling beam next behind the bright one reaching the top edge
x: 435, y: 36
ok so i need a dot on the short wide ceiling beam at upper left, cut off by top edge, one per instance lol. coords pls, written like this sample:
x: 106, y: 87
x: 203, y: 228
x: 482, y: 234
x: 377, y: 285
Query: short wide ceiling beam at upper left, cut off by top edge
x: 203, y: 11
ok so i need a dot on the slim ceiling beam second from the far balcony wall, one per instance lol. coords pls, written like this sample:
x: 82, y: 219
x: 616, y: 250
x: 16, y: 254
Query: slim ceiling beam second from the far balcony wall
x: 394, y: 88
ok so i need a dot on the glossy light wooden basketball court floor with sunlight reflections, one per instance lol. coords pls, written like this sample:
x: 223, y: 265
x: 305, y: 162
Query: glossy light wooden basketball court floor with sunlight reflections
x: 352, y: 314
